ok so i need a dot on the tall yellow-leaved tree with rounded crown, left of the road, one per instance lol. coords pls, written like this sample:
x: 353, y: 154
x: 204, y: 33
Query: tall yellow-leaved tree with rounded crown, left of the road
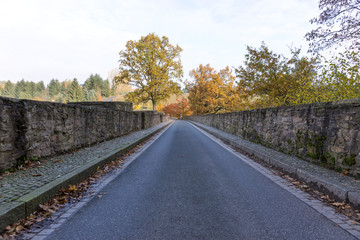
x: 152, y: 65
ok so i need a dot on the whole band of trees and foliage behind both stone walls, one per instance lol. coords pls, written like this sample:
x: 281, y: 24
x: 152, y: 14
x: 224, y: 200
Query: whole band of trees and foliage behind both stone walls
x: 150, y: 73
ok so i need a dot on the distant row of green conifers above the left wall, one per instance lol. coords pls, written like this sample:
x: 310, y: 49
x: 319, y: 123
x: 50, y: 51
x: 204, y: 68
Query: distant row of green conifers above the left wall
x: 94, y: 89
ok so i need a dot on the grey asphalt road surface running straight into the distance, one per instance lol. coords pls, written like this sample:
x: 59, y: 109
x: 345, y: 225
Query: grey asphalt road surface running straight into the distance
x: 185, y: 186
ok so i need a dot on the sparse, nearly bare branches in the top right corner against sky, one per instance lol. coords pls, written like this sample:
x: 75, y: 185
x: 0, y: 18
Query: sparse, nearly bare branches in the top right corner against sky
x: 340, y: 24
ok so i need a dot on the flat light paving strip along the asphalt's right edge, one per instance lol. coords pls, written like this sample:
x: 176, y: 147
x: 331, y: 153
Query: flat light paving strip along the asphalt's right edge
x: 339, y: 219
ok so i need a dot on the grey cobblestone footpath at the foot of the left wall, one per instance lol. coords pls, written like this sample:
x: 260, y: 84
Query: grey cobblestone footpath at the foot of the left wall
x: 23, y: 182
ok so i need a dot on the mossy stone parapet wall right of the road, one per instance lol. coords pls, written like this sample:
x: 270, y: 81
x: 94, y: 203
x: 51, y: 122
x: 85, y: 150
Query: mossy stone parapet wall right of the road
x: 324, y: 133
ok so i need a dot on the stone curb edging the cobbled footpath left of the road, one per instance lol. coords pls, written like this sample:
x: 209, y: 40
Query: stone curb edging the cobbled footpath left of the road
x: 28, y: 203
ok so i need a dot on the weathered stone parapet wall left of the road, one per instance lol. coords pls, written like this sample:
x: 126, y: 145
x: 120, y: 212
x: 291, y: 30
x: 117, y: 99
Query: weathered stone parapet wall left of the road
x: 33, y: 129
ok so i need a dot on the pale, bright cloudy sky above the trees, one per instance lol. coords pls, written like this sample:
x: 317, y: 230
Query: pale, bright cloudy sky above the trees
x: 46, y: 39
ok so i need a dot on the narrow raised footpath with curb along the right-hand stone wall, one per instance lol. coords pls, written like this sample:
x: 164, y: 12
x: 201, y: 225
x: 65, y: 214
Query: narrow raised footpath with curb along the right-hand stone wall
x: 340, y: 188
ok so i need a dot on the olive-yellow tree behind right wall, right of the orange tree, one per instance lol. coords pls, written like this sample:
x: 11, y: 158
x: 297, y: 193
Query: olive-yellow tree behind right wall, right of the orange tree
x: 270, y: 79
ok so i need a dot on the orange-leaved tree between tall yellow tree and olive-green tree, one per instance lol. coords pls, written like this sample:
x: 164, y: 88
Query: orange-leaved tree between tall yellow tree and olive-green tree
x: 213, y: 91
